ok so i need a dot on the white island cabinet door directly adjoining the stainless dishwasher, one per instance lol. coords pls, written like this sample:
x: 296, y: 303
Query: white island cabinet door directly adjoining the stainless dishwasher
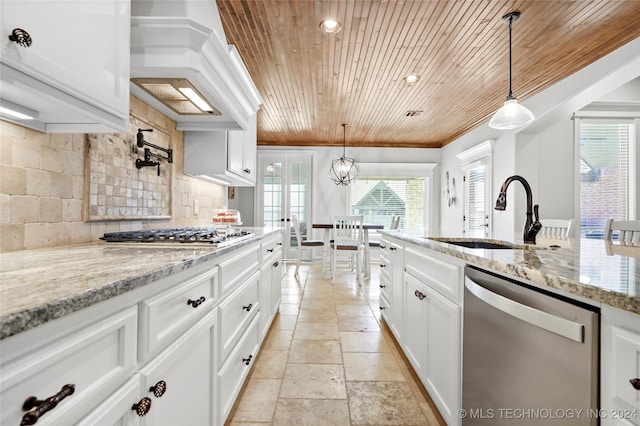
x: 443, y: 354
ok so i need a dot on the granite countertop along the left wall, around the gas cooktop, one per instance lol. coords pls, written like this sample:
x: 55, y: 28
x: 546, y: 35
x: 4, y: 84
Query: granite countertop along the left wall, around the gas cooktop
x: 41, y: 285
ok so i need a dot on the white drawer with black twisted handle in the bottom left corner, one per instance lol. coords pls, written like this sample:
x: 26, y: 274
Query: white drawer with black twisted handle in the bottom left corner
x: 94, y: 359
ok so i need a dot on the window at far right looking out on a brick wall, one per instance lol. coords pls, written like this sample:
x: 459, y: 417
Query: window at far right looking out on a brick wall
x: 606, y: 166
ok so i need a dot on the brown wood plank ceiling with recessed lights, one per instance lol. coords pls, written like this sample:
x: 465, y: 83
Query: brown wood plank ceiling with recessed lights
x: 312, y: 82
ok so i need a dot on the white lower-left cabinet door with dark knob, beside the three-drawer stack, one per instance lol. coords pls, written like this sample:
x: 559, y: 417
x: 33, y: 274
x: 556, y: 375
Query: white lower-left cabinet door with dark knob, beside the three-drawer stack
x: 188, y: 371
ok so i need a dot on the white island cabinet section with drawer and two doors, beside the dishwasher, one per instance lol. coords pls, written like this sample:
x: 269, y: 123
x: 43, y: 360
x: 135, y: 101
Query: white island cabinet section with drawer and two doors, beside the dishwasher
x: 433, y: 325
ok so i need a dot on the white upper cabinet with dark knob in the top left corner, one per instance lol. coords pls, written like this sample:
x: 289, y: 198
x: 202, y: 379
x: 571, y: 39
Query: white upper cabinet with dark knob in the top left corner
x: 75, y: 74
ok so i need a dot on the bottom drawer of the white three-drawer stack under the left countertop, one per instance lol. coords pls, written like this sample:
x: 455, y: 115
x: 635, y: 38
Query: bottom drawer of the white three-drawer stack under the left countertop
x: 235, y: 370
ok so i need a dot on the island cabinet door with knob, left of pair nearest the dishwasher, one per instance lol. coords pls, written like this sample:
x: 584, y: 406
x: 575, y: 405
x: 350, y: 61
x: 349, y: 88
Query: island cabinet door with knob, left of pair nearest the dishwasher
x: 415, y: 321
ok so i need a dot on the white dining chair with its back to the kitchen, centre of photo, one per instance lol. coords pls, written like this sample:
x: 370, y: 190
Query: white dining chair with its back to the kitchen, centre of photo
x: 347, y: 236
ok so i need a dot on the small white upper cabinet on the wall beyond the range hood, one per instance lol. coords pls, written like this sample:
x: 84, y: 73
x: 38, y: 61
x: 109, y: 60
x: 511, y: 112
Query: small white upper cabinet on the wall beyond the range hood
x: 225, y: 157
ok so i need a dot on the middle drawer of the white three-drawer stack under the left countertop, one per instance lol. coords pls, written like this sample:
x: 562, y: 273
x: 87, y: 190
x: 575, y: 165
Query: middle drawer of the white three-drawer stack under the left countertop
x: 236, y: 312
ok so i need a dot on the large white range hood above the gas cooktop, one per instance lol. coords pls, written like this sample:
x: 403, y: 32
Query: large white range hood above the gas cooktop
x: 177, y: 40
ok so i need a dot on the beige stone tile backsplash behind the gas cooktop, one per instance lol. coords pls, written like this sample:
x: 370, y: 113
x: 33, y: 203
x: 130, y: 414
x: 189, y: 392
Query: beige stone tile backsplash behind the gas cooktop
x: 47, y: 197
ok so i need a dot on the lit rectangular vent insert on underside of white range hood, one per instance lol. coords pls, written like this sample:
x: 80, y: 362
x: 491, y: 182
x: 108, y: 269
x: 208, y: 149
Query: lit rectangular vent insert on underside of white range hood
x: 177, y: 94
